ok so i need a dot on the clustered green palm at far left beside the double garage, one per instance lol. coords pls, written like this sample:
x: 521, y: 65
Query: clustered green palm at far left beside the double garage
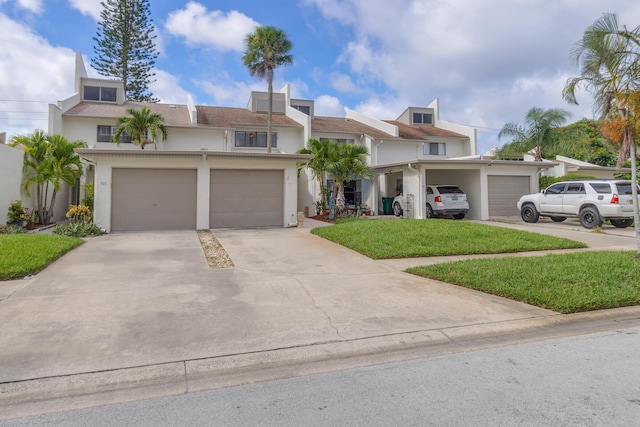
x: 49, y: 160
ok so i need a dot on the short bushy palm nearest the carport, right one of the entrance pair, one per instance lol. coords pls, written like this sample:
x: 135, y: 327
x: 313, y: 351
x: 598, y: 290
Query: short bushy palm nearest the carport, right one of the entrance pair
x: 347, y: 162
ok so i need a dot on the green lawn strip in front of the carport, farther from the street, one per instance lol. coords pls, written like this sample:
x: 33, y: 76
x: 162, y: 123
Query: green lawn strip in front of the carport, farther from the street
x: 380, y: 239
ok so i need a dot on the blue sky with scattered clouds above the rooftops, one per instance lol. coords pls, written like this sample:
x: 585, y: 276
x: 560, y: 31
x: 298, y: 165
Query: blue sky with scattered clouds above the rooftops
x: 487, y: 61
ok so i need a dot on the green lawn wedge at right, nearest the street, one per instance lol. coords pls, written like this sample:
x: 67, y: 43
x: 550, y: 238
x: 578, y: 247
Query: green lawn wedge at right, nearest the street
x: 566, y: 283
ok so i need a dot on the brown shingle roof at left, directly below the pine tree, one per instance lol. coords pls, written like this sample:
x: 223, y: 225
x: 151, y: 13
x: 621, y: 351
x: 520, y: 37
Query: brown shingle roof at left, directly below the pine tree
x: 174, y: 115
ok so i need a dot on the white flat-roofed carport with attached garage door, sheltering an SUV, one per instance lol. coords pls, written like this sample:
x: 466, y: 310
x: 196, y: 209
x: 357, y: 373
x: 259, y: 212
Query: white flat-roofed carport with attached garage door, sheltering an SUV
x: 492, y: 186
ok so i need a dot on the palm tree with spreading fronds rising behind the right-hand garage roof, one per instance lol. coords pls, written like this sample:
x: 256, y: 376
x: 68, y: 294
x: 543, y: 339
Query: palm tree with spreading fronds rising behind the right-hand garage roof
x: 539, y: 133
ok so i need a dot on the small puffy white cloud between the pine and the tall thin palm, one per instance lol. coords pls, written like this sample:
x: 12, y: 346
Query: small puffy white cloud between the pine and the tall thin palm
x: 213, y: 29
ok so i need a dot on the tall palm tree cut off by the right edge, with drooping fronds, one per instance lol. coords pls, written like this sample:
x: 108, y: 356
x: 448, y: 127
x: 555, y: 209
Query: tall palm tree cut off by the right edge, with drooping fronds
x: 609, y: 59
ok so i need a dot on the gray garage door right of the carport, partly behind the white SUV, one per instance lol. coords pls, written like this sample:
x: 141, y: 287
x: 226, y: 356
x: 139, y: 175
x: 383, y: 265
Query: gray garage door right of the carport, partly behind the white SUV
x: 504, y: 192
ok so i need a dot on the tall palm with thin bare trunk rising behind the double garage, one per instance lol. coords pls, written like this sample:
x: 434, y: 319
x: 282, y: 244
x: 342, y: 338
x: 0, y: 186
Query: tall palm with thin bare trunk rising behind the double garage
x: 267, y: 48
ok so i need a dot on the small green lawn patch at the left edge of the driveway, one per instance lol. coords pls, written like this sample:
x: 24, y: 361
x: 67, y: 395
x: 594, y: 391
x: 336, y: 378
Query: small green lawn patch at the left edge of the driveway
x: 23, y: 254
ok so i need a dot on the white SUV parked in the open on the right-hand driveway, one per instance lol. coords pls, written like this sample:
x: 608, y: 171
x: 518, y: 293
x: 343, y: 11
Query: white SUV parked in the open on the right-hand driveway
x: 591, y: 201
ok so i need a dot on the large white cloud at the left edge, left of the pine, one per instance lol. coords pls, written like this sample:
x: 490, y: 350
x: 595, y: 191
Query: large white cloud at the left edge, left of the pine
x: 33, y: 72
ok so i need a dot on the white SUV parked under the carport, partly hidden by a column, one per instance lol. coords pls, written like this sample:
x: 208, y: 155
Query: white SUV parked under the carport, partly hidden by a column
x: 441, y: 200
